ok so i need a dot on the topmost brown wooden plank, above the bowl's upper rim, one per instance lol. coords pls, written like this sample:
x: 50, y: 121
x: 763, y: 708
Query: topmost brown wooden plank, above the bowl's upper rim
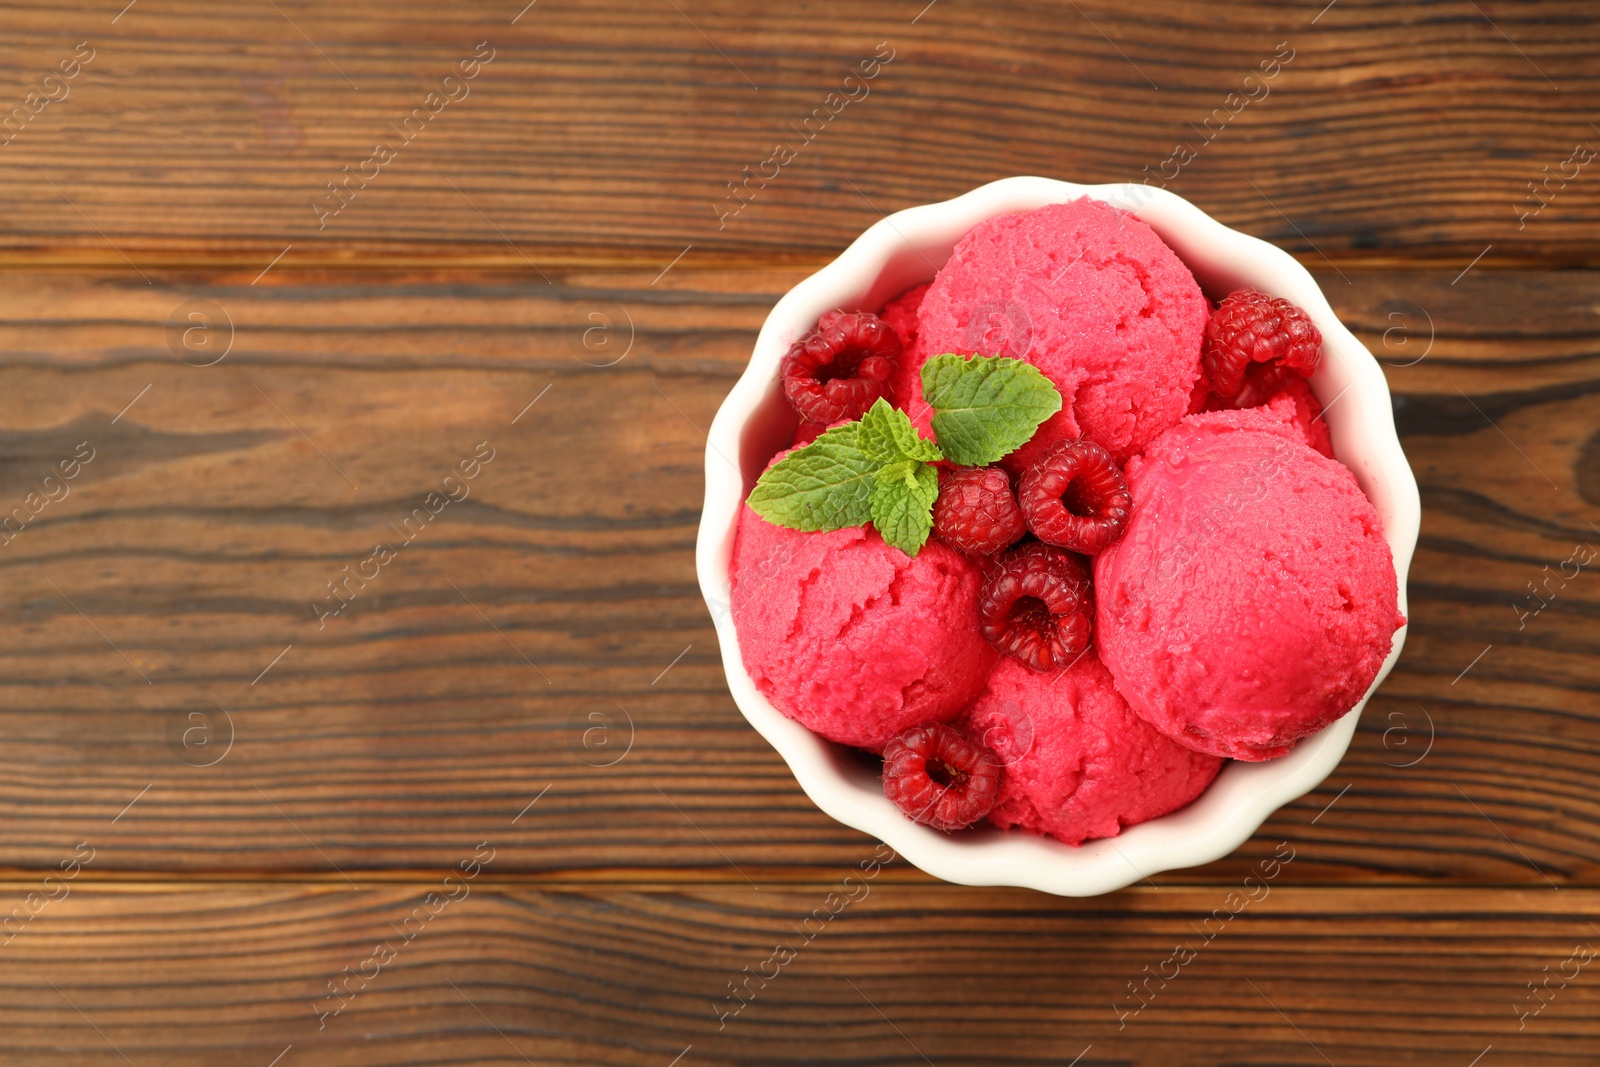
x: 604, y: 132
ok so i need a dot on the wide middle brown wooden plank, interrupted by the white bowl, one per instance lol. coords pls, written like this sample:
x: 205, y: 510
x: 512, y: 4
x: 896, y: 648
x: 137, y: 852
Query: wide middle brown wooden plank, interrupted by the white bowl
x: 180, y: 577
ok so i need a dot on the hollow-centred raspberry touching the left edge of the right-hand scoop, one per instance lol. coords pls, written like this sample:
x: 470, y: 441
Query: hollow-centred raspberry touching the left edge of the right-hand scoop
x: 1074, y: 497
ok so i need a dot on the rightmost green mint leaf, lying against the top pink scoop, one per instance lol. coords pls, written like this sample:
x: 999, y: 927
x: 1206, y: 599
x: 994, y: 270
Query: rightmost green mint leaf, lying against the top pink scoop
x: 986, y: 407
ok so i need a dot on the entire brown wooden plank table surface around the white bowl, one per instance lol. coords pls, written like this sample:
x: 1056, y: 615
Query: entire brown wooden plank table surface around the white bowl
x: 500, y: 809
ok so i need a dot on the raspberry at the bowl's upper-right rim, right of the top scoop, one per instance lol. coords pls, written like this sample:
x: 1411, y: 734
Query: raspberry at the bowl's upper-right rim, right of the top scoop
x: 1254, y: 343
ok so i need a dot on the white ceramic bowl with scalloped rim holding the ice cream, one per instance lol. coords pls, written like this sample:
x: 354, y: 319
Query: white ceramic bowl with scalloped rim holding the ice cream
x: 754, y: 423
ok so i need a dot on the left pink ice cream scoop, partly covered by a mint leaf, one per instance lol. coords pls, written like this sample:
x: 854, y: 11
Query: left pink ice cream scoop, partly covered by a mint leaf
x: 852, y: 637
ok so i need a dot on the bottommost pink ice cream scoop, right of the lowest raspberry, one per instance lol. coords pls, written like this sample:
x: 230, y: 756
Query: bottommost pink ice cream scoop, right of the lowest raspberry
x: 1079, y: 762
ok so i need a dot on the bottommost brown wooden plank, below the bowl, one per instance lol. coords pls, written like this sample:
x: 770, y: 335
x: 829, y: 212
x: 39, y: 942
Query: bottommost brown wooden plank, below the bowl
x: 593, y: 975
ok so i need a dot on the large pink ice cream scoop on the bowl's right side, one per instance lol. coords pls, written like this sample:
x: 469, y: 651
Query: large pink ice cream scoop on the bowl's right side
x: 1254, y: 597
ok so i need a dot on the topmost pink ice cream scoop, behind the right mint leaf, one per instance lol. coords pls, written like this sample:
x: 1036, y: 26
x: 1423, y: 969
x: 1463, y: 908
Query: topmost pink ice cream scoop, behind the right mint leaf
x: 1090, y: 297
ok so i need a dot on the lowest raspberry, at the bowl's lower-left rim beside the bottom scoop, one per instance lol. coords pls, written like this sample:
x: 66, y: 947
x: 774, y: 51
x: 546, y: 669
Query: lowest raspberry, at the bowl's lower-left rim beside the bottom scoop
x: 942, y: 778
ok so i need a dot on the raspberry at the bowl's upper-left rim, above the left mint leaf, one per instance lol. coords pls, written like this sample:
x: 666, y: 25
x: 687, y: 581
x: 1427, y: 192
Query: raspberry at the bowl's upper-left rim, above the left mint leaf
x: 844, y: 366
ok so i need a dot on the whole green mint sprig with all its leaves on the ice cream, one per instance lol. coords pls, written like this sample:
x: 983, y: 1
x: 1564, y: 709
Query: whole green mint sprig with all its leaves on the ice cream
x: 881, y: 471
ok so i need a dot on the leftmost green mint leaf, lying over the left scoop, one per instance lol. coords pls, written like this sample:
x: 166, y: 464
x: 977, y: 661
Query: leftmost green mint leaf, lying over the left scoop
x: 826, y: 486
